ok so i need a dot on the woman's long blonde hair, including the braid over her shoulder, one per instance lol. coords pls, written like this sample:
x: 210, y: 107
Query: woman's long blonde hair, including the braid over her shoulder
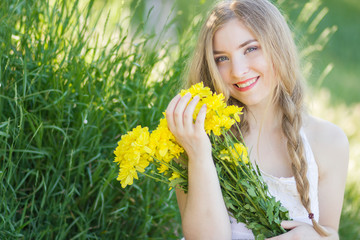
x: 270, y: 29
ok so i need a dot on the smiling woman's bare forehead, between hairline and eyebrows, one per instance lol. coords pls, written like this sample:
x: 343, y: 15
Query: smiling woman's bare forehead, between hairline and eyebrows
x: 231, y: 35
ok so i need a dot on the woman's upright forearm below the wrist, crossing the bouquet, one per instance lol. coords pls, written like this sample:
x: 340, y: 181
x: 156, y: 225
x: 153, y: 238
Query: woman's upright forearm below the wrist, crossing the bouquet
x: 205, y: 215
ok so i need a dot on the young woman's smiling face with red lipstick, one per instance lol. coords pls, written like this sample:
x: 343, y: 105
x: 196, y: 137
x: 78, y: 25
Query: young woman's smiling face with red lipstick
x: 242, y: 65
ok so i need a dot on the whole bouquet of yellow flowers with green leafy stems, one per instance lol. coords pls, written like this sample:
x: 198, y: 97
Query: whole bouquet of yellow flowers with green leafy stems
x: 244, y: 191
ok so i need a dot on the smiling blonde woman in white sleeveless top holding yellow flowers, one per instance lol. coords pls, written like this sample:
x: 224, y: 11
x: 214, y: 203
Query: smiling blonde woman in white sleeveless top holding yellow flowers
x: 246, y: 51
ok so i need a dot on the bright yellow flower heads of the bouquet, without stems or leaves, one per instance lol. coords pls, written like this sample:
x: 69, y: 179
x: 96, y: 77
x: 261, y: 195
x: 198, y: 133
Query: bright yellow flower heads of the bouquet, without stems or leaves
x: 138, y: 148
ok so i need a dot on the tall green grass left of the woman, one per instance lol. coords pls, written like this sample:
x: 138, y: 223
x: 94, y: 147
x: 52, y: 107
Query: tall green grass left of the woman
x: 65, y: 99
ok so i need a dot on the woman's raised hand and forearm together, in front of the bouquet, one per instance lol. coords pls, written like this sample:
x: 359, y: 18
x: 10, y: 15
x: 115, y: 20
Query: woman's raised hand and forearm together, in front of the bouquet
x: 203, y: 211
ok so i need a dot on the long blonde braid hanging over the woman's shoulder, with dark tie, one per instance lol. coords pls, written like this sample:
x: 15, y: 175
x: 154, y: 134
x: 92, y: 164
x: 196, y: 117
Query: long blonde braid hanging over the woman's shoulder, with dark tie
x: 291, y: 123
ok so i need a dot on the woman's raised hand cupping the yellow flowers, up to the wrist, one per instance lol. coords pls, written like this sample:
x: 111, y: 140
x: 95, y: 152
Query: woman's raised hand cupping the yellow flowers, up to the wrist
x: 191, y: 136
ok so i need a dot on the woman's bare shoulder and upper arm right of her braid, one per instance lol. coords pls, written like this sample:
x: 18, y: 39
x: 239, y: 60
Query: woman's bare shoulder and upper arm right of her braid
x: 331, y: 151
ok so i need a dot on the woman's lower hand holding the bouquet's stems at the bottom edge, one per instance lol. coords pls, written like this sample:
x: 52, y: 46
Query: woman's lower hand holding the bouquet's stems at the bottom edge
x: 298, y: 231
